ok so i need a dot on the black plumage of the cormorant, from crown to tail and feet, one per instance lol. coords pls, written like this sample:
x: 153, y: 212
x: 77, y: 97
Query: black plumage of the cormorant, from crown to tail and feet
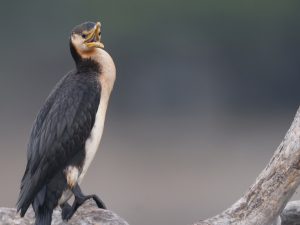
x: 58, y: 138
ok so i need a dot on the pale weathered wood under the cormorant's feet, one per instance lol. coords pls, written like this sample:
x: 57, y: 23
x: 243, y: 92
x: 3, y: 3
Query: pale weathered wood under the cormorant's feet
x: 87, y: 214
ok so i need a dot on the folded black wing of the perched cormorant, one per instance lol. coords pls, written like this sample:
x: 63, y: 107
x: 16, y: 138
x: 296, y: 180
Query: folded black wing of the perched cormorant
x: 59, y: 132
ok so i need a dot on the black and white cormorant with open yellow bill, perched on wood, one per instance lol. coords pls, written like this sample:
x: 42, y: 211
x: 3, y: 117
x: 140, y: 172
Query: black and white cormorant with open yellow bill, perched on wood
x: 67, y: 130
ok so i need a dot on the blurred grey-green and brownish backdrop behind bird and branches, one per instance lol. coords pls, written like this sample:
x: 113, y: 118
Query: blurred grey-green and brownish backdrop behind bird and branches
x: 205, y: 92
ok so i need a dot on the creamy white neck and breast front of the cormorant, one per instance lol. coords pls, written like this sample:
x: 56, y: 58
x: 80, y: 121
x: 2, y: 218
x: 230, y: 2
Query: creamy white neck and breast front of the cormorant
x: 106, y: 78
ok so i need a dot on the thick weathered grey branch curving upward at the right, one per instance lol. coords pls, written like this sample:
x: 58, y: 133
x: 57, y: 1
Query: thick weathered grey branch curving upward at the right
x: 267, y: 197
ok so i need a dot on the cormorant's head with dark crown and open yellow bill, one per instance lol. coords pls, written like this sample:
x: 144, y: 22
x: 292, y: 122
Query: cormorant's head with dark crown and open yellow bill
x: 85, y: 39
